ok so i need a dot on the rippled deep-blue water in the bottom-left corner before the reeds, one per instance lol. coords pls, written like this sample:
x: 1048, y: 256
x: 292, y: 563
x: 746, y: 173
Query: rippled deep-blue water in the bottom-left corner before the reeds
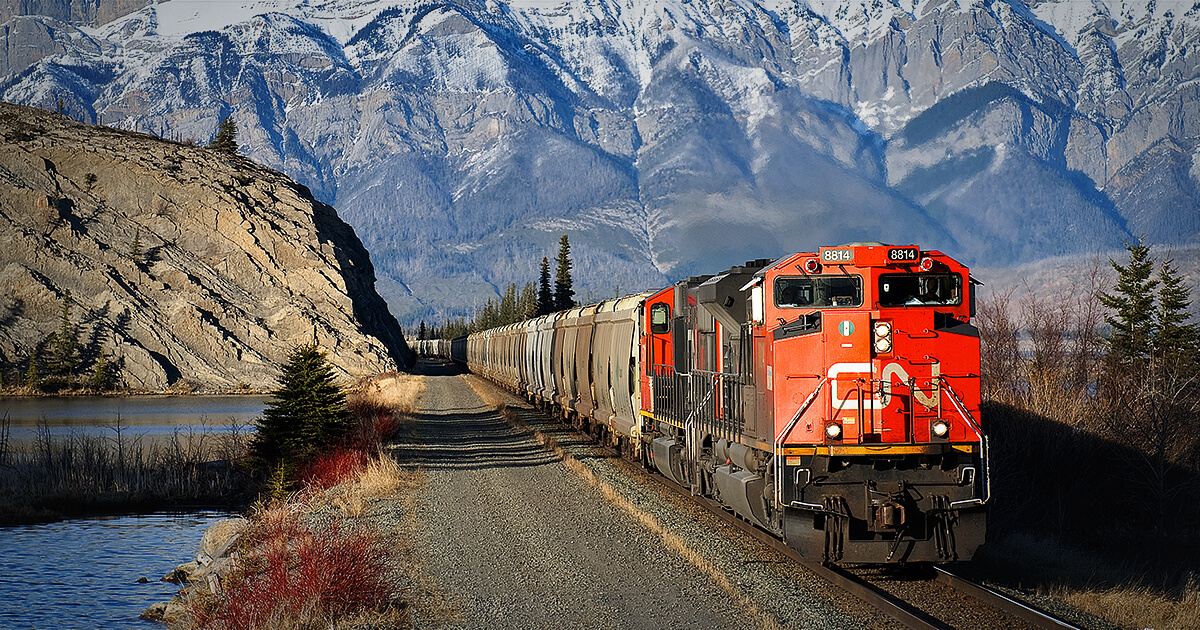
x: 85, y: 573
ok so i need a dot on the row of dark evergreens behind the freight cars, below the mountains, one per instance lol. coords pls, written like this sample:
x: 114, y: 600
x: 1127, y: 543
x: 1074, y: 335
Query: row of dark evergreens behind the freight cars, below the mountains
x: 517, y: 305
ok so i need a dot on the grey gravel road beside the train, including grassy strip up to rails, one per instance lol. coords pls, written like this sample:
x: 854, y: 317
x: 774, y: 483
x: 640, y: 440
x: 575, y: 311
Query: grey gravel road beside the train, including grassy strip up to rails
x: 514, y: 535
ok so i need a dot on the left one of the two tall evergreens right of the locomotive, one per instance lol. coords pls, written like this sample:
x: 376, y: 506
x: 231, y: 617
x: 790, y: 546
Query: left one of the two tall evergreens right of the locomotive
x: 1133, y: 308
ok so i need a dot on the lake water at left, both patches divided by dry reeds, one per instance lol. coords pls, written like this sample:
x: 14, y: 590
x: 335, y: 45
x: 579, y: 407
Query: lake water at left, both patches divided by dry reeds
x: 83, y: 573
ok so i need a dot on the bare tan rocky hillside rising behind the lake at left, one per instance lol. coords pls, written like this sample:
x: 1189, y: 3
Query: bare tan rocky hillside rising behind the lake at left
x: 187, y: 267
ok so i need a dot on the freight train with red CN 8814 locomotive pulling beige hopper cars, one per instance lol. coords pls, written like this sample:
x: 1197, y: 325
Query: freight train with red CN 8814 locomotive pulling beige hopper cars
x: 831, y: 398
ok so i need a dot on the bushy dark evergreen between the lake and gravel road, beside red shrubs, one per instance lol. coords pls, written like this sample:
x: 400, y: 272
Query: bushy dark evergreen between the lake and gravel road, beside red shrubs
x: 305, y: 413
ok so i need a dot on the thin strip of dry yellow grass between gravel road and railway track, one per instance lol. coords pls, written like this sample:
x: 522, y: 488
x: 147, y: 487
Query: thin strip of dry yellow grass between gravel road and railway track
x: 673, y: 542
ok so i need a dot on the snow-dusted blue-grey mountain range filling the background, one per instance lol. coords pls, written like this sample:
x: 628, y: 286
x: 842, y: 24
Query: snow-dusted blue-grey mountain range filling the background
x: 669, y: 137
